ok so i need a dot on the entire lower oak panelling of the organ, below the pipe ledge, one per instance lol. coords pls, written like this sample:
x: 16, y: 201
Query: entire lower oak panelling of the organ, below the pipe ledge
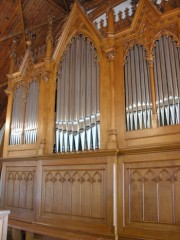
x: 75, y: 196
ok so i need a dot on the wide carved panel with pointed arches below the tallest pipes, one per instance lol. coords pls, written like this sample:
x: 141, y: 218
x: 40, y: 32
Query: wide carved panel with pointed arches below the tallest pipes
x: 75, y: 191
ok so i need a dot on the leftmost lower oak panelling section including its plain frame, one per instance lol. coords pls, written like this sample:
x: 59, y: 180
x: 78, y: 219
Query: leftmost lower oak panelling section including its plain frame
x: 18, y: 189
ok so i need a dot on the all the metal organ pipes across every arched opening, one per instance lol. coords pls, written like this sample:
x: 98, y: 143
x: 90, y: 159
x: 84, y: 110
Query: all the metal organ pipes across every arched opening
x: 77, y: 106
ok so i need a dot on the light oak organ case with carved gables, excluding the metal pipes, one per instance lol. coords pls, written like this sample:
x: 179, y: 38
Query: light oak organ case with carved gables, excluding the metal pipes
x: 76, y: 195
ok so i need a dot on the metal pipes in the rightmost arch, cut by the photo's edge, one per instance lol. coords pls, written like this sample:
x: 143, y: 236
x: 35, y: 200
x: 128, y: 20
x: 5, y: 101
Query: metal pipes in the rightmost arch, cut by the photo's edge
x: 167, y: 80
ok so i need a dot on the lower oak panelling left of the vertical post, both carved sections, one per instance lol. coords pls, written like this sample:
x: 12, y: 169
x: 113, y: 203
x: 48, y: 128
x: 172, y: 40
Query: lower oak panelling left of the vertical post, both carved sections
x: 68, y: 194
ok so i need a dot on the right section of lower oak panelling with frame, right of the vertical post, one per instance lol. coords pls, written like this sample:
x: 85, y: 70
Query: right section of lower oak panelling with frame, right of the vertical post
x: 151, y: 195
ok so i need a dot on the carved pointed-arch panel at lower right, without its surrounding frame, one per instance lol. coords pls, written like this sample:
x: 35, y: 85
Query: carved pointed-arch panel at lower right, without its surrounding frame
x: 153, y: 194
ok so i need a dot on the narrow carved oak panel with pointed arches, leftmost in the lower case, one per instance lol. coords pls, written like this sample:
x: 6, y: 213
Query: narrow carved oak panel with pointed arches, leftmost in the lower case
x: 20, y: 187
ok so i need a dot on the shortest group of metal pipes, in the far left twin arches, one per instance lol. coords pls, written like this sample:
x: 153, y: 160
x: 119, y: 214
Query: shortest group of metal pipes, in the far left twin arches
x: 24, y: 115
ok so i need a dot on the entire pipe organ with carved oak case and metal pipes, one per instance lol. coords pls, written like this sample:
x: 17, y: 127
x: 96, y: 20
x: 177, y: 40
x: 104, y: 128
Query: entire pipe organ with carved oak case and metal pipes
x: 66, y: 173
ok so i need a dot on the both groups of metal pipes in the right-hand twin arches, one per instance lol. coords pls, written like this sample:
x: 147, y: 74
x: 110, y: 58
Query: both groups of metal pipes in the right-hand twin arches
x: 167, y: 80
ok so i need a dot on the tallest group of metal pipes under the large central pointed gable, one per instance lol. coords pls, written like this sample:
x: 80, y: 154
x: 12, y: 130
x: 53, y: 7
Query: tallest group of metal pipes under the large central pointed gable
x: 77, y: 113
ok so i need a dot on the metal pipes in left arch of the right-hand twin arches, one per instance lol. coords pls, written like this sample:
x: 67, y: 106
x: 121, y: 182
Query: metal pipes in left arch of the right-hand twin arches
x: 137, y: 90
